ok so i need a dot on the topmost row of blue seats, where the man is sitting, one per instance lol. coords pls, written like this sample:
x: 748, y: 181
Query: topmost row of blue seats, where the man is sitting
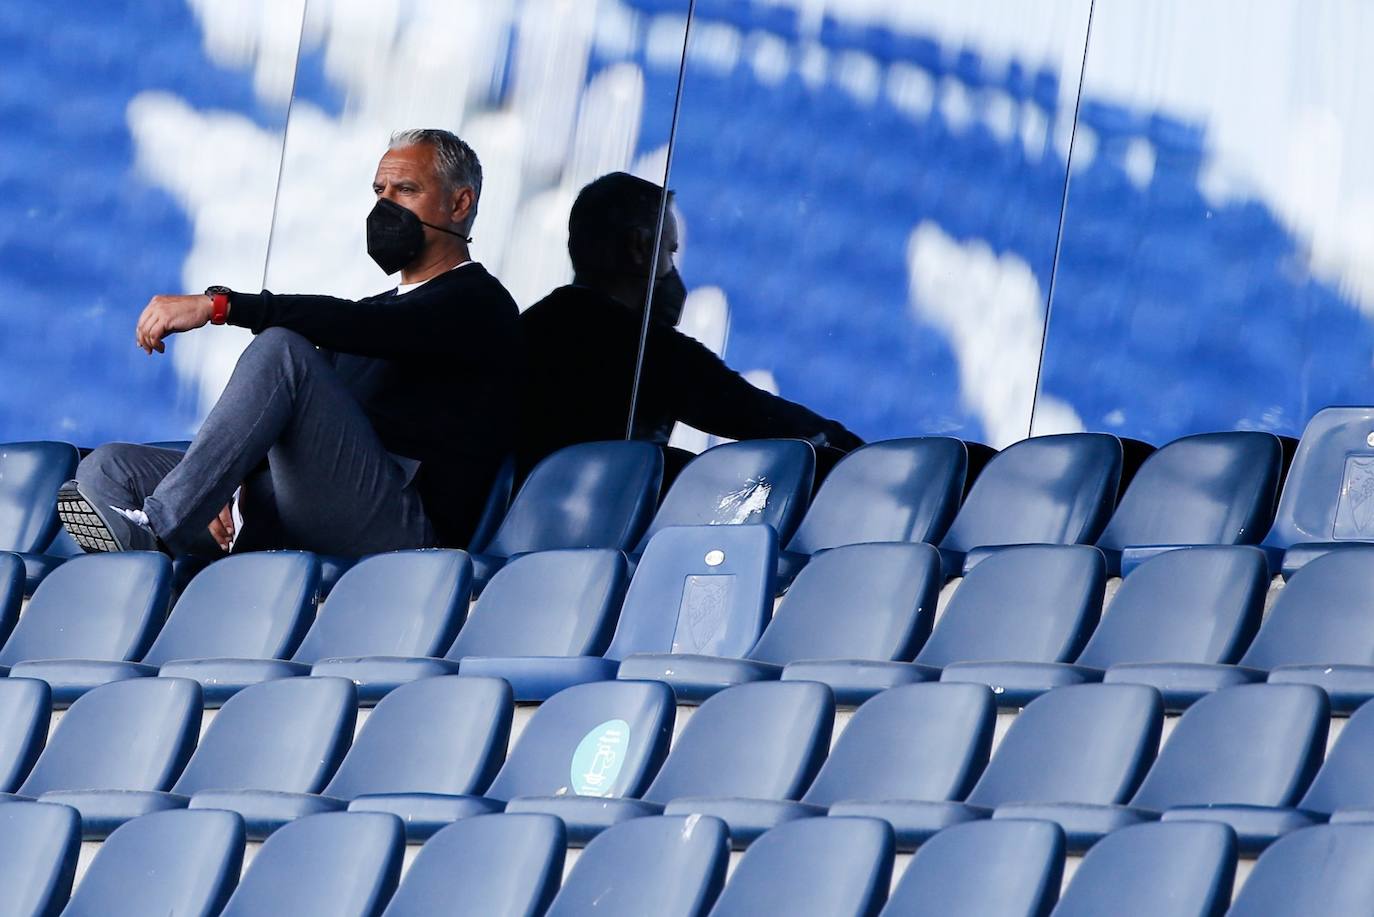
x: 1214, y: 489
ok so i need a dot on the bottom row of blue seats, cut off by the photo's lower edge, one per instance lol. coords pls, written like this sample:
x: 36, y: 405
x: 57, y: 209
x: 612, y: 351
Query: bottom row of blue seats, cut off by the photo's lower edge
x: 350, y: 864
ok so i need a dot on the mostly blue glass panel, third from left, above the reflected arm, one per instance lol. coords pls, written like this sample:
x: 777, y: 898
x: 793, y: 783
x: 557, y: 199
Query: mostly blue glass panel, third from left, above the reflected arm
x: 869, y: 199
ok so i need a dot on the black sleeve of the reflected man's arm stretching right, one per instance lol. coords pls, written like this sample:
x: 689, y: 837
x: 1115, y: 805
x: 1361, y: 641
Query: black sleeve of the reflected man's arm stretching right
x: 711, y: 397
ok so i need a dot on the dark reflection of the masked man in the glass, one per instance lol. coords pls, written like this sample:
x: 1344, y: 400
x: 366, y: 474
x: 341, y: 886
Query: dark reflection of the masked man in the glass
x: 582, y: 343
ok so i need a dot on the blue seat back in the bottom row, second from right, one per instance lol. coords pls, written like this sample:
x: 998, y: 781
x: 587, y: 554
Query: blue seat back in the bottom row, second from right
x: 1159, y: 870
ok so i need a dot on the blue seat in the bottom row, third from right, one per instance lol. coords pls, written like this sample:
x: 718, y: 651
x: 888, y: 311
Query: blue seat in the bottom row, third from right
x: 1004, y: 868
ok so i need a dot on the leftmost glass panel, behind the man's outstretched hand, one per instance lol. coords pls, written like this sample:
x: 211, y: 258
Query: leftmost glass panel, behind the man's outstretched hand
x: 139, y: 155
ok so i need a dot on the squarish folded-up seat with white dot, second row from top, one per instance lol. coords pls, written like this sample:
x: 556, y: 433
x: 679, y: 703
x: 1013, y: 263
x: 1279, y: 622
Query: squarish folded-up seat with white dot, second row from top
x: 700, y: 589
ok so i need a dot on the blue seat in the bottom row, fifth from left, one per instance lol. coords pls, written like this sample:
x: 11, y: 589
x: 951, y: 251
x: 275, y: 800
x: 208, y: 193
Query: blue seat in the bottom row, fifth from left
x: 670, y: 867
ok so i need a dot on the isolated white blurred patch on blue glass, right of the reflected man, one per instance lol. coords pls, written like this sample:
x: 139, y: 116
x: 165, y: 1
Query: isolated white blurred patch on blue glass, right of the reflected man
x: 993, y: 311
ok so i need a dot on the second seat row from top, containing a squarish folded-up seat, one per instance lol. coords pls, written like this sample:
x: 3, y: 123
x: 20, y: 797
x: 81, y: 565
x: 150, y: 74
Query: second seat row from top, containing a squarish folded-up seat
x: 699, y: 615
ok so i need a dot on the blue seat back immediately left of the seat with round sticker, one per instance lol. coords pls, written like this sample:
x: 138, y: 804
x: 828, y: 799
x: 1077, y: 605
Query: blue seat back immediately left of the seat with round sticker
x: 432, y: 736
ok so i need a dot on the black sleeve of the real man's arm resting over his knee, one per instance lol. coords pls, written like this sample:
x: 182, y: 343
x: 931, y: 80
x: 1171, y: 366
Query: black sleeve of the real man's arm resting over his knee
x: 439, y: 318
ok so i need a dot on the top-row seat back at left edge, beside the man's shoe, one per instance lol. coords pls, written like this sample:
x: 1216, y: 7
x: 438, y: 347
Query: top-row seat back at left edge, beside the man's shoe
x: 31, y: 475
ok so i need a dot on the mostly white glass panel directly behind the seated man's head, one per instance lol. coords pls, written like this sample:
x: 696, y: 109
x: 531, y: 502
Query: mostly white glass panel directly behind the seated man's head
x: 550, y: 94
